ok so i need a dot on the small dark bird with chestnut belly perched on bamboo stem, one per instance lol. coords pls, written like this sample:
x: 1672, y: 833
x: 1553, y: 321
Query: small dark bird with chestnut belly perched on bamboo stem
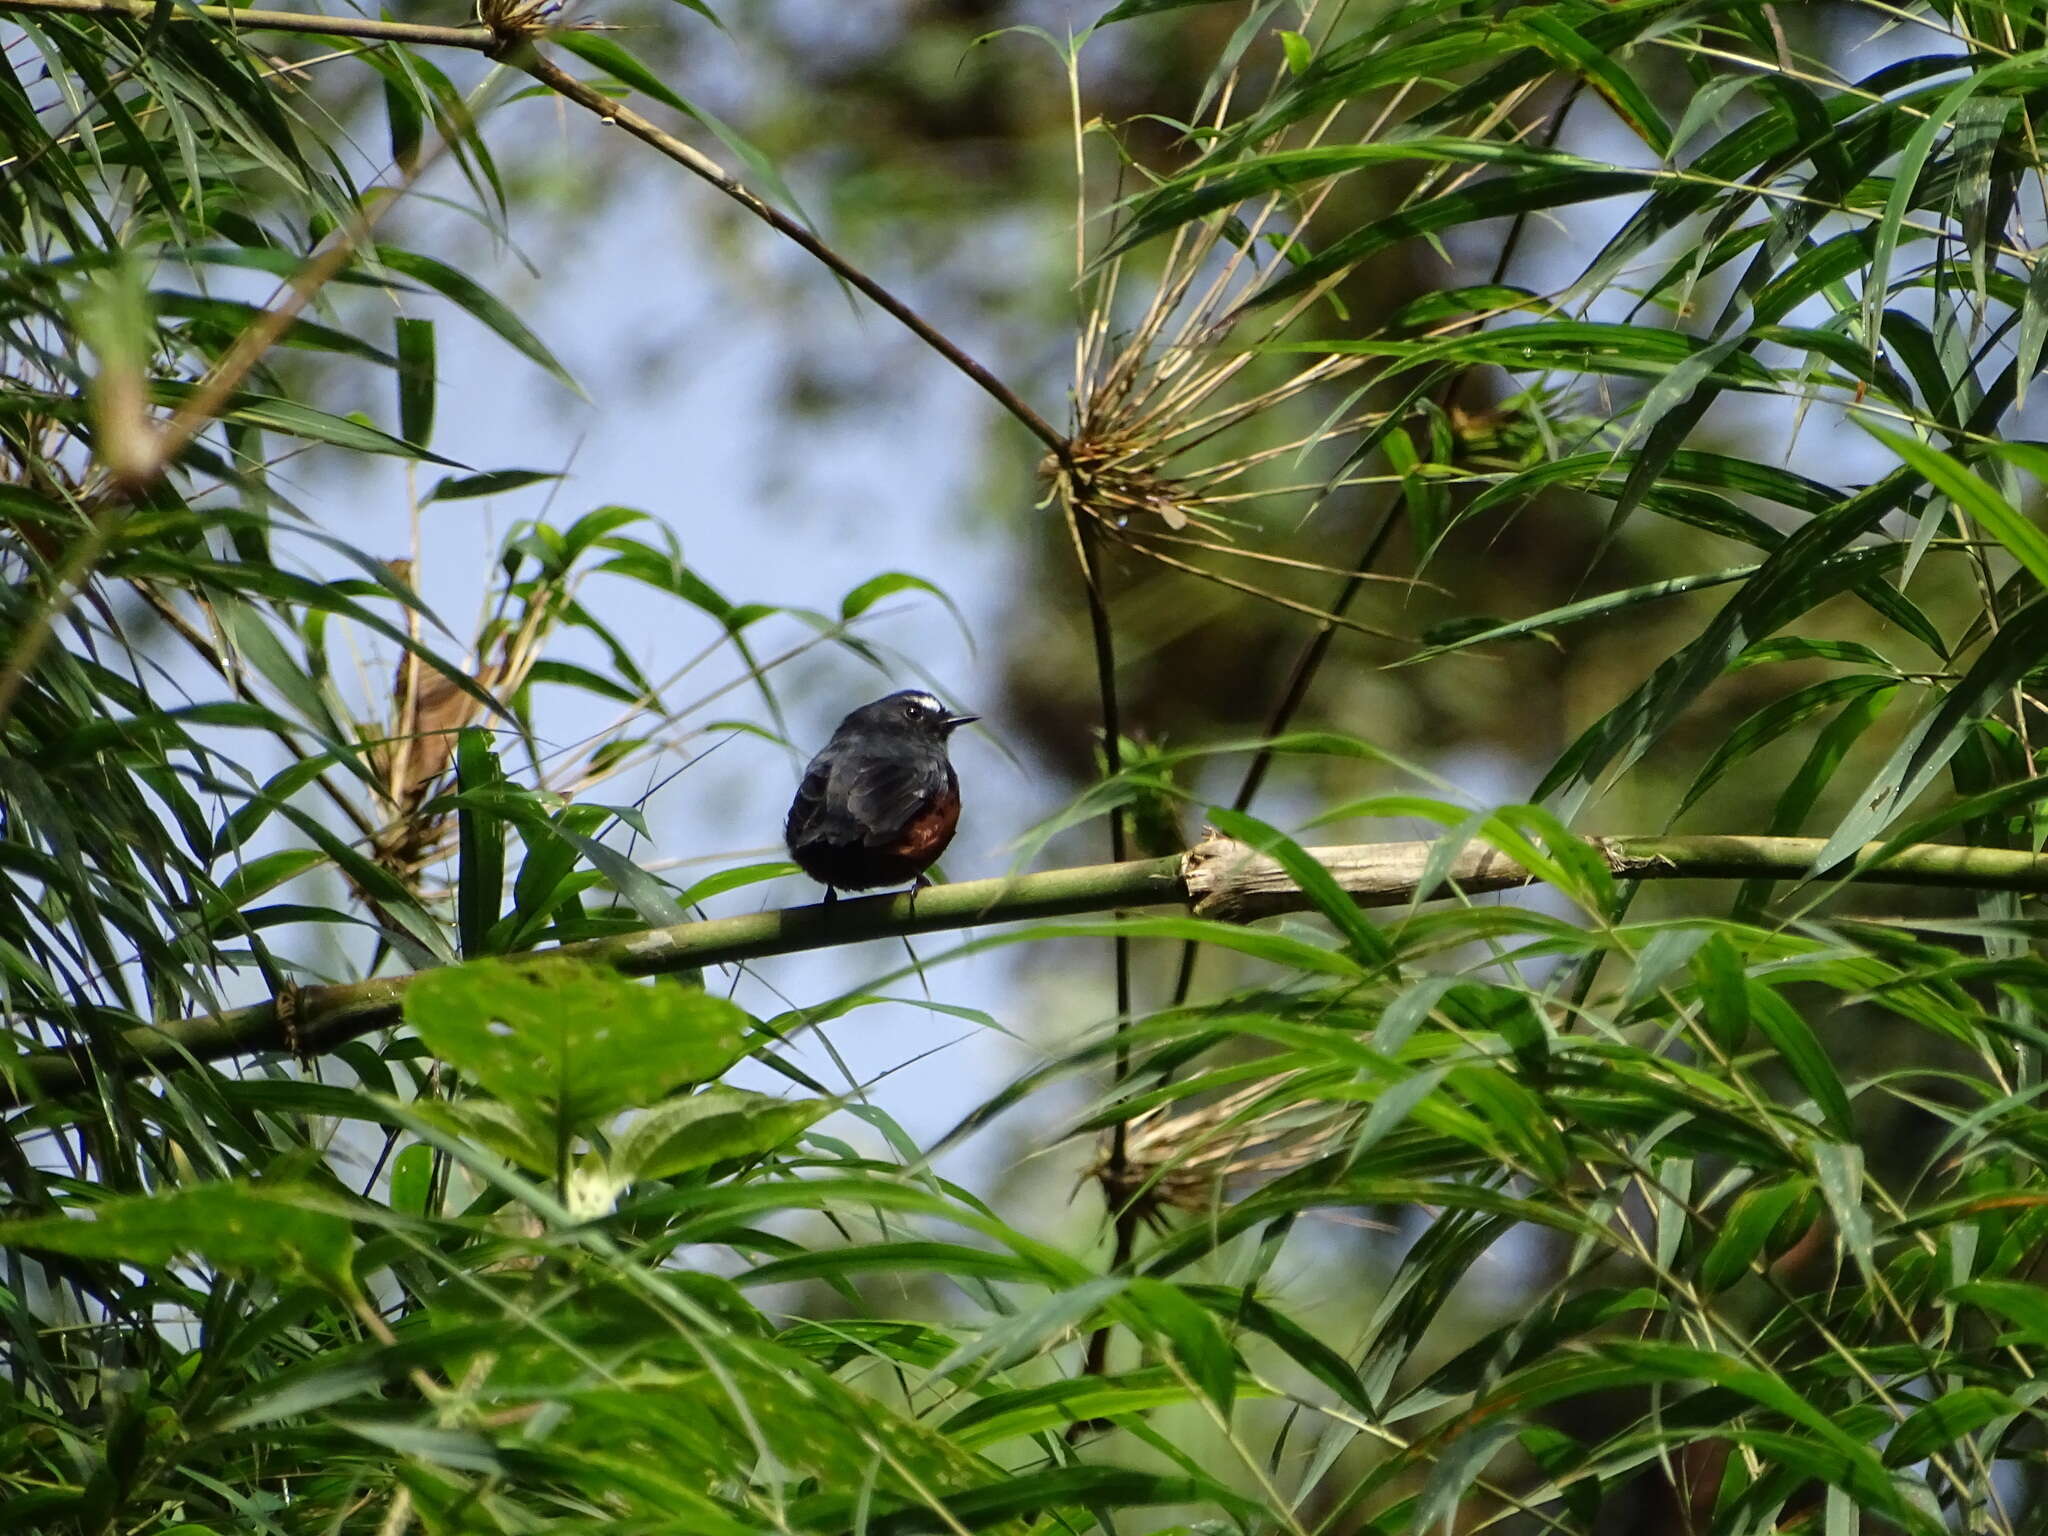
x: 882, y: 802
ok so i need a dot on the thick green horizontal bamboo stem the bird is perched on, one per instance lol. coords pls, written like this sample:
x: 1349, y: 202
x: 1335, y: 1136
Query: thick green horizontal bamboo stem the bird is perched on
x: 1218, y: 880
